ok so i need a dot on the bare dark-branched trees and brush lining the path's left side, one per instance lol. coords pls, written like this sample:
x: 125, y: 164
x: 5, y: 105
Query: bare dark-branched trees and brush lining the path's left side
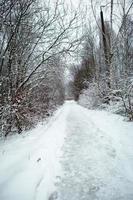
x: 33, y: 40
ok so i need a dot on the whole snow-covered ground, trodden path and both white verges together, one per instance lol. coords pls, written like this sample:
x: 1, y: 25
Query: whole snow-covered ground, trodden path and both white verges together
x: 79, y: 155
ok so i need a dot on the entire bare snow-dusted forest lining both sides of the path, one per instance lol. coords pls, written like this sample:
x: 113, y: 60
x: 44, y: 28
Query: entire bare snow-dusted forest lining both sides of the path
x: 40, y: 41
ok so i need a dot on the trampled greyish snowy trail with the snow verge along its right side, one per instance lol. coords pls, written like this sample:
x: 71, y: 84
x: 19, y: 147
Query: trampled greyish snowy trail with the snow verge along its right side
x: 96, y: 163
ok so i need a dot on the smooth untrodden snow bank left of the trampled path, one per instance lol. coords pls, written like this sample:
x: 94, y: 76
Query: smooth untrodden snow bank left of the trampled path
x: 30, y: 164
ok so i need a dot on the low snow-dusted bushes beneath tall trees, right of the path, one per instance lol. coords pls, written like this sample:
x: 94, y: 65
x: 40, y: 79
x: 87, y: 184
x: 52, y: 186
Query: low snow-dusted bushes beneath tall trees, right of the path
x: 118, y: 101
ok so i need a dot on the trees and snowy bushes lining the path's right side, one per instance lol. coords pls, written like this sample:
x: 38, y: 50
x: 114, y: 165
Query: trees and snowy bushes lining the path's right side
x: 104, y: 75
